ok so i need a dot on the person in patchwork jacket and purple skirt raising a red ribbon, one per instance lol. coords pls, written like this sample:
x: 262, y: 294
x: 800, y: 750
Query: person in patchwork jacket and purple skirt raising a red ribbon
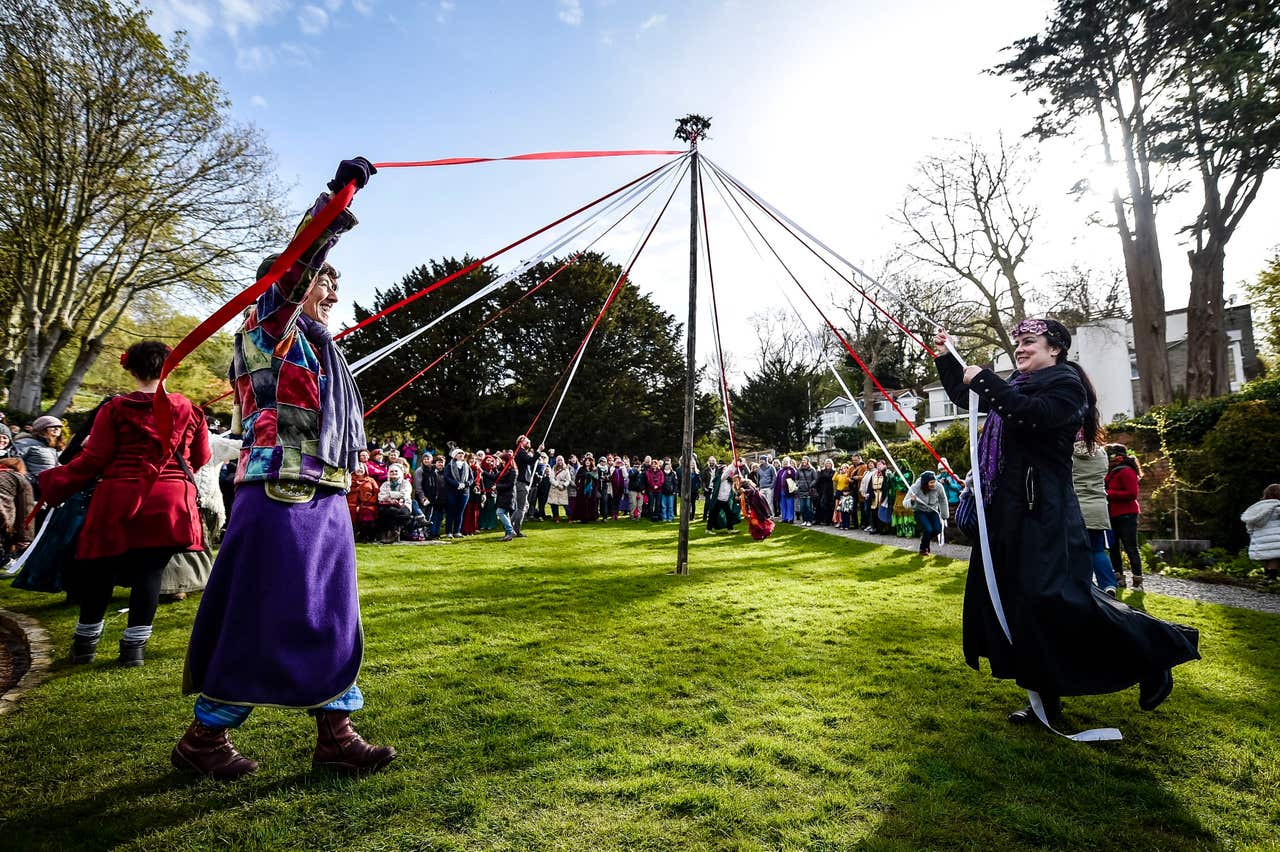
x: 280, y: 621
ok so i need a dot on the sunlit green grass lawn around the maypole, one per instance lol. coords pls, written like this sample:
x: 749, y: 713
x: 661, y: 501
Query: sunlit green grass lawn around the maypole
x: 565, y: 693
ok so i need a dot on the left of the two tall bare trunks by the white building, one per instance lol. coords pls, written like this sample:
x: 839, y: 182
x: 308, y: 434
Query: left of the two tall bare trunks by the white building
x: 1148, y: 297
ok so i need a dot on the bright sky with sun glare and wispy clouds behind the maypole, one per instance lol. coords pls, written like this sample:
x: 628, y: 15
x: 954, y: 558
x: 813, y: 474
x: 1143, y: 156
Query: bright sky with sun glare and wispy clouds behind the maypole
x: 822, y: 107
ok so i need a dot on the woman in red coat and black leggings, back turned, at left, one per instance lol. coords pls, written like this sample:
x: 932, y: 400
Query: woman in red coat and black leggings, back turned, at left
x: 144, y: 510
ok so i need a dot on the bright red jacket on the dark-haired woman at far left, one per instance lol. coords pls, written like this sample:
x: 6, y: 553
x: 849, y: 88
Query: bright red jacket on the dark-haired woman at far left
x: 135, y: 505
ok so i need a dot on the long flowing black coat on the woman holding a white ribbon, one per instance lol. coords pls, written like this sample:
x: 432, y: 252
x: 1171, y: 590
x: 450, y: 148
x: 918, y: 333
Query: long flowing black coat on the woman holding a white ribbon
x: 1068, y: 638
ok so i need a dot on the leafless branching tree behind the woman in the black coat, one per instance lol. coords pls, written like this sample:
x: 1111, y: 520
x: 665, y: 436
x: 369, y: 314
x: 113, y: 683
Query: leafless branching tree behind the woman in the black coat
x: 970, y: 225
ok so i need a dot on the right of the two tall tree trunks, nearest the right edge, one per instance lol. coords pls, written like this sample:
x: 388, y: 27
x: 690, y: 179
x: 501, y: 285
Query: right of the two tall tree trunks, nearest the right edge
x: 1206, y: 324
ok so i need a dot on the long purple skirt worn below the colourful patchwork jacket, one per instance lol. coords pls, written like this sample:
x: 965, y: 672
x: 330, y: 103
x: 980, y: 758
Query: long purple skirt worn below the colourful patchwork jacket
x: 280, y: 621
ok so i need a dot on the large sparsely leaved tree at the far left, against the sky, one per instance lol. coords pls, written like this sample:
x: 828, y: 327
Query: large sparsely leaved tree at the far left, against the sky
x: 120, y: 175
